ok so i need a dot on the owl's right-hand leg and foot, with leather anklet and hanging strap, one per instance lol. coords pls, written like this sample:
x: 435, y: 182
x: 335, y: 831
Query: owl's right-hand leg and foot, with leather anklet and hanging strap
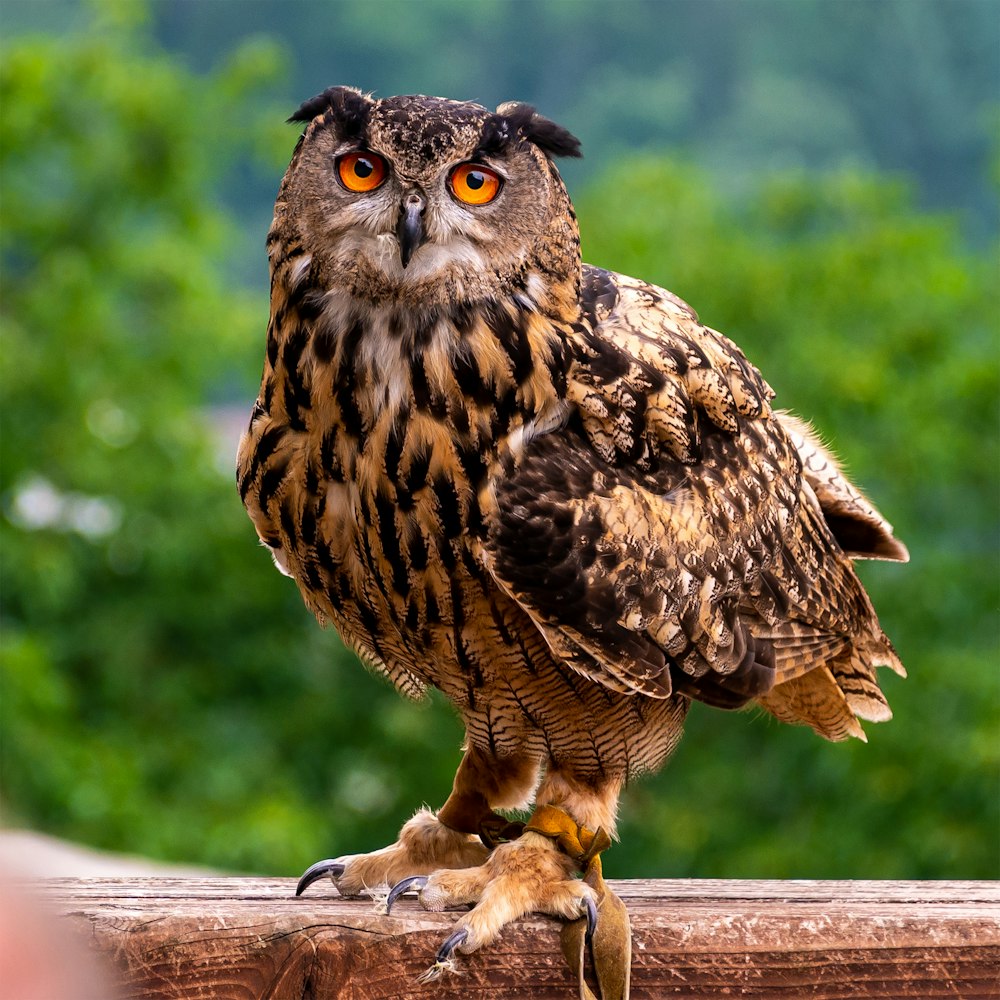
x: 538, y: 872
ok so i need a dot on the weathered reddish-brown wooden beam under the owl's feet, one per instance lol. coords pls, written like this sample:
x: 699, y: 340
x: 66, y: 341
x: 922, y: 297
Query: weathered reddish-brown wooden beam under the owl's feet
x: 250, y: 938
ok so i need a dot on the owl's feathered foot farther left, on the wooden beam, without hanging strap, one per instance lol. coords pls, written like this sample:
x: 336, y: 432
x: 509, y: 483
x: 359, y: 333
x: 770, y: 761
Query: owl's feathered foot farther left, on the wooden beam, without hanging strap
x: 424, y: 846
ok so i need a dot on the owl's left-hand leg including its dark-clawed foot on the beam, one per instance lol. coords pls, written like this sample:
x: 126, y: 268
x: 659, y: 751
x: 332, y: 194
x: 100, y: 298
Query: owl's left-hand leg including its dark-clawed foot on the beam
x: 448, y: 839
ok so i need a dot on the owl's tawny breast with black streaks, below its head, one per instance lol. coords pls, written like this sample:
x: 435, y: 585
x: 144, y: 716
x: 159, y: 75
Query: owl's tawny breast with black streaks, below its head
x: 368, y: 465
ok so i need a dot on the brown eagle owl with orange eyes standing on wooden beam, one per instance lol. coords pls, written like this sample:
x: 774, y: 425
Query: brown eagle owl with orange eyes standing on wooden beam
x: 544, y: 488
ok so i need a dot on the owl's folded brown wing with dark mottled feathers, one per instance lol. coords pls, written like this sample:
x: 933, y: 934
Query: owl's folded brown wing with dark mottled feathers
x: 666, y: 539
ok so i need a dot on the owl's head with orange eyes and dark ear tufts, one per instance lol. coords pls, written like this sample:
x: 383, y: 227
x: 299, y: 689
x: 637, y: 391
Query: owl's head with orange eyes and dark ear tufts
x: 424, y: 201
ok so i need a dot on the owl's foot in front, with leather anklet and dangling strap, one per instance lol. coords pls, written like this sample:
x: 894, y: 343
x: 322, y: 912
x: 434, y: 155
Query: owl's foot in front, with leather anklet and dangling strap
x: 535, y: 874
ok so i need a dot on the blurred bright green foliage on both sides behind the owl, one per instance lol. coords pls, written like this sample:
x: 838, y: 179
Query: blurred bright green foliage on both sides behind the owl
x: 164, y: 691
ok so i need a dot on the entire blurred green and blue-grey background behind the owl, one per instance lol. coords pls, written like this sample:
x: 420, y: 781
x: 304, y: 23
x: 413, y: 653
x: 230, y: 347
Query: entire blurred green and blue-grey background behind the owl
x: 819, y: 179
